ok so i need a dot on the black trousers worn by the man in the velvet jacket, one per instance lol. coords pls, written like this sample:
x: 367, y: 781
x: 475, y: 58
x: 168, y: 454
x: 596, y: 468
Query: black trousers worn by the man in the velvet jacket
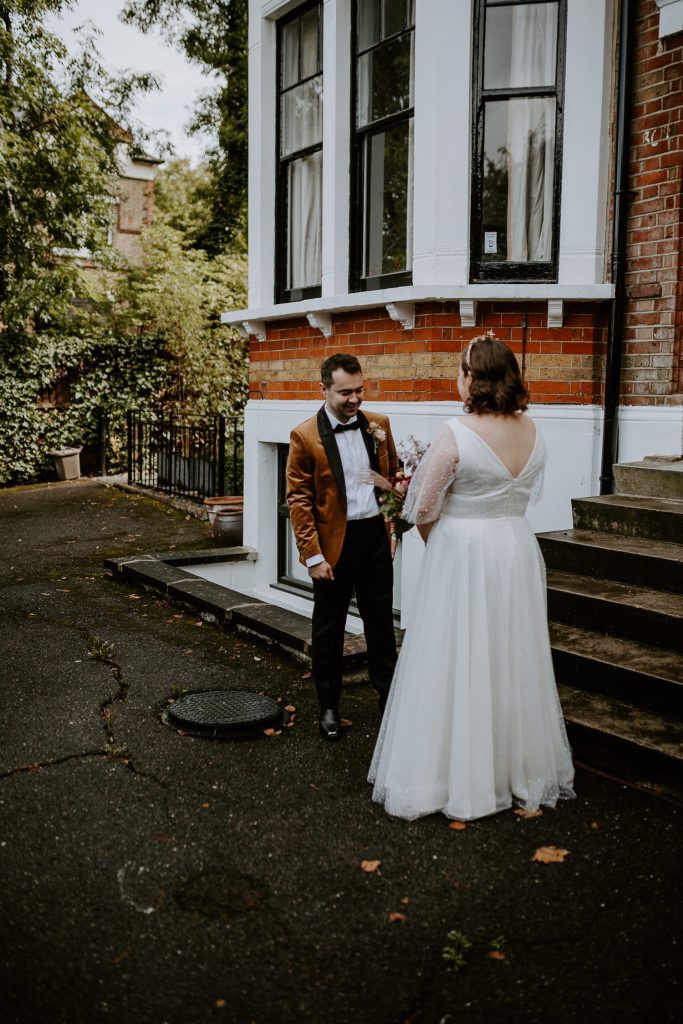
x: 365, y: 566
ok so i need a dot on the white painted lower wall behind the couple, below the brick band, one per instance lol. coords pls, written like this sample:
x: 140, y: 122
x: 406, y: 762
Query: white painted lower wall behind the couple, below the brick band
x: 573, y: 436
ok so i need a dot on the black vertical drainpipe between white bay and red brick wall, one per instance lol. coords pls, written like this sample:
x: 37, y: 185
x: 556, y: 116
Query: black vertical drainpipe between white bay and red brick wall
x: 616, y: 330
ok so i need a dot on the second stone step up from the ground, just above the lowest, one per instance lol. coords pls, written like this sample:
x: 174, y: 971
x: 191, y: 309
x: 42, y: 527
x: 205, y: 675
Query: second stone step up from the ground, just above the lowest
x: 645, y: 676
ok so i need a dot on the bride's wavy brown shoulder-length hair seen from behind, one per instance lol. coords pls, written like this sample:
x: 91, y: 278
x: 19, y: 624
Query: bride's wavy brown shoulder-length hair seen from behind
x: 496, y: 383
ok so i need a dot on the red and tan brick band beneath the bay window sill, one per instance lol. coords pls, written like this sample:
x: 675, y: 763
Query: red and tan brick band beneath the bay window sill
x: 562, y: 365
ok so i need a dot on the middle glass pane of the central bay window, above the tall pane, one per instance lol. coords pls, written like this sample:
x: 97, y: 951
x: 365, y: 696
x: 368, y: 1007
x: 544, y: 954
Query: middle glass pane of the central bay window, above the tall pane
x: 386, y: 80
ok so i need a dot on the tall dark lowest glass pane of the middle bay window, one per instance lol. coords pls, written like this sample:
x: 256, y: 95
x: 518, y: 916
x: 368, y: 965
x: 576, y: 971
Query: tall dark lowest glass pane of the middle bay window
x: 389, y: 201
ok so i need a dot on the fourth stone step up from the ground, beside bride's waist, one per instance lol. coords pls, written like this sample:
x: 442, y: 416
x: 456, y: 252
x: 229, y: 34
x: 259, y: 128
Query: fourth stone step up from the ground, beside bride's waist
x: 611, y: 557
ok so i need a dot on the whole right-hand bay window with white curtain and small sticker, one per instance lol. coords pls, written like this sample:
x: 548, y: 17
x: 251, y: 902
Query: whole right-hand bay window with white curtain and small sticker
x: 518, y: 140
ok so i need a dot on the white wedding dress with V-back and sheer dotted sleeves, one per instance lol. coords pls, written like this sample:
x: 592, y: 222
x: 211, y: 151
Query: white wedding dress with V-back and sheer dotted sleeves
x: 474, y: 722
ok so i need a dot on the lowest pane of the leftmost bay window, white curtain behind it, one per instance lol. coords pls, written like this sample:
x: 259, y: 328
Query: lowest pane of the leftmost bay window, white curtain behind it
x: 305, y: 237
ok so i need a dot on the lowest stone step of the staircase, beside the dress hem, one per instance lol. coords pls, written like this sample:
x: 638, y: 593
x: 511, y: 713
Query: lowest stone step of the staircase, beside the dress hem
x: 616, y: 738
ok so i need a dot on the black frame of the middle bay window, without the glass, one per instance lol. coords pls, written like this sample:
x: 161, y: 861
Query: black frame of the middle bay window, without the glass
x: 359, y: 135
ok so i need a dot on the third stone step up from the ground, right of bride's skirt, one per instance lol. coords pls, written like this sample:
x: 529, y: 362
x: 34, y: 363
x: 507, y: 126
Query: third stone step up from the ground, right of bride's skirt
x: 648, y: 617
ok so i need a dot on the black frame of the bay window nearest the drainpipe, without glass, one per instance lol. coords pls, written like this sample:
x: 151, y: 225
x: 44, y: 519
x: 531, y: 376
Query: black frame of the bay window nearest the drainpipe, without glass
x: 505, y: 271
